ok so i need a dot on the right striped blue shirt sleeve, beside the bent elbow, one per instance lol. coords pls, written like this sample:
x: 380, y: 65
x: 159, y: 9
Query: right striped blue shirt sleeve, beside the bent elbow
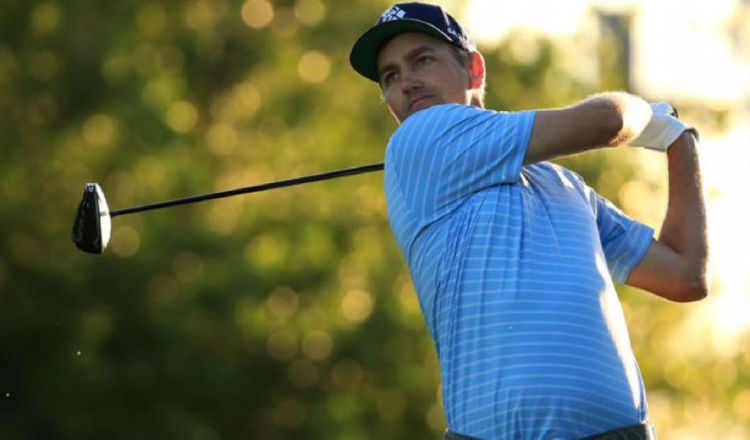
x: 624, y: 240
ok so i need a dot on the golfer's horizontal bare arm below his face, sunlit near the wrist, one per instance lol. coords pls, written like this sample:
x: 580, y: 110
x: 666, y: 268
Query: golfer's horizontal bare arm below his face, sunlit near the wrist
x: 604, y: 120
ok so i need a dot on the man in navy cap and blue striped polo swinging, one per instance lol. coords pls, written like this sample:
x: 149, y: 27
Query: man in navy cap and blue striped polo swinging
x: 514, y: 258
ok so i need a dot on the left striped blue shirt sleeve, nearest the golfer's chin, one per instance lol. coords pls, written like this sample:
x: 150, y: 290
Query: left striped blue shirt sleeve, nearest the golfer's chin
x: 442, y: 155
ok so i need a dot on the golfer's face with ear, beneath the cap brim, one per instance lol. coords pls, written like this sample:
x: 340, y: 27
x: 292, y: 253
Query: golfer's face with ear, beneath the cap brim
x: 417, y: 71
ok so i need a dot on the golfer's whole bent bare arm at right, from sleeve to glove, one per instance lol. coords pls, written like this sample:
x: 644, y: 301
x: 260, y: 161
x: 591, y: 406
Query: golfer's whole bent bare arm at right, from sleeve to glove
x: 674, y: 266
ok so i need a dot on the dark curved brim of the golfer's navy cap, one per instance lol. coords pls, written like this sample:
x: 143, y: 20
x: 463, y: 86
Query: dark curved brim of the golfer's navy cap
x: 364, y: 54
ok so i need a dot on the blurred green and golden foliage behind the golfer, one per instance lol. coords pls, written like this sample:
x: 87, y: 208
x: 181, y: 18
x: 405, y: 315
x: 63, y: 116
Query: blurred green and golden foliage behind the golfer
x: 287, y: 314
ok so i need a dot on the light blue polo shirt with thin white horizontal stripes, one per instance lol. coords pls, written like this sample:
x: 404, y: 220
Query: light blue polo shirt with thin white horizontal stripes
x: 514, y: 268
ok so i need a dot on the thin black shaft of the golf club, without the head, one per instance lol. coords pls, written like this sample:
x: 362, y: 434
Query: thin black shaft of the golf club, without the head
x: 250, y: 189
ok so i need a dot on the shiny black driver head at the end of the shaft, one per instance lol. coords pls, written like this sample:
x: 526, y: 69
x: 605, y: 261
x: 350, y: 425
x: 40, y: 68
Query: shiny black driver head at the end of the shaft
x: 93, y: 225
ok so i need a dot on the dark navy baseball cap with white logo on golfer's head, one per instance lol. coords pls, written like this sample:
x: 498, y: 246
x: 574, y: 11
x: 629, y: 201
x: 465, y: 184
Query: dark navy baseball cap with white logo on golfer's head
x: 406, y: 17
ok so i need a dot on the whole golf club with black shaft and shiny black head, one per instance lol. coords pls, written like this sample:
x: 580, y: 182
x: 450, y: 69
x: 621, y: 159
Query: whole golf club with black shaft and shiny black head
x: 93, y: 224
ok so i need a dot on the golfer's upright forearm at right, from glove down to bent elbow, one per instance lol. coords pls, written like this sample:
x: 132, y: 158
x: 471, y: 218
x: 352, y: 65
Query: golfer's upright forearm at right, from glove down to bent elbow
x: 684, y: 226
